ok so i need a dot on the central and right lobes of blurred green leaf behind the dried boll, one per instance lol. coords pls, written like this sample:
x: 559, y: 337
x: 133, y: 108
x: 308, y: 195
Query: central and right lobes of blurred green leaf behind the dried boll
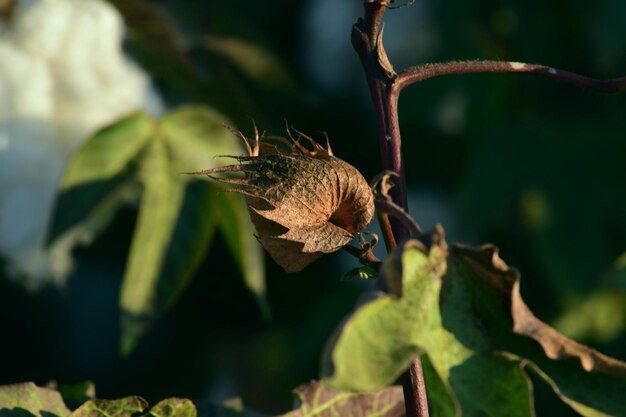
x: 178, y: 216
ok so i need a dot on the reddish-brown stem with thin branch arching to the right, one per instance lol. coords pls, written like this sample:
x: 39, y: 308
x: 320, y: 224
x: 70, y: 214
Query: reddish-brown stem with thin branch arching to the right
x: 385, y: 87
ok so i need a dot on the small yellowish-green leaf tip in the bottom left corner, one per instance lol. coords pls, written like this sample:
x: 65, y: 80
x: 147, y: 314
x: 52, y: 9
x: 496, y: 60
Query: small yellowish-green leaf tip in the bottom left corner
x: 27, y: 399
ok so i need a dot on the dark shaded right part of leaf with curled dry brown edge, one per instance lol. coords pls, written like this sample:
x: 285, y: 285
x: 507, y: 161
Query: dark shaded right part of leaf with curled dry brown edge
x: 587, y: 380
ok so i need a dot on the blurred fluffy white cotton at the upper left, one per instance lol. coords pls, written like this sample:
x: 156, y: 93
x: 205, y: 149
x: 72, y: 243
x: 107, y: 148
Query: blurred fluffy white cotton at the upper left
x: 63, y: 75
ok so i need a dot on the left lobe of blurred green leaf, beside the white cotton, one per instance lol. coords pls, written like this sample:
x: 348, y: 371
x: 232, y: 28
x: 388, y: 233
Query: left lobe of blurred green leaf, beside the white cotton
x: 98, y: 180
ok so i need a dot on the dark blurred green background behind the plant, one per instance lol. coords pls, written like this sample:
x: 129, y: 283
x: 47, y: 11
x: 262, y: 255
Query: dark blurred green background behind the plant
x: 534, y: 166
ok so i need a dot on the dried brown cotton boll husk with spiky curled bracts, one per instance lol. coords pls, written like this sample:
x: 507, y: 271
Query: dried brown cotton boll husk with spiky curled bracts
x: 303, y: 202
